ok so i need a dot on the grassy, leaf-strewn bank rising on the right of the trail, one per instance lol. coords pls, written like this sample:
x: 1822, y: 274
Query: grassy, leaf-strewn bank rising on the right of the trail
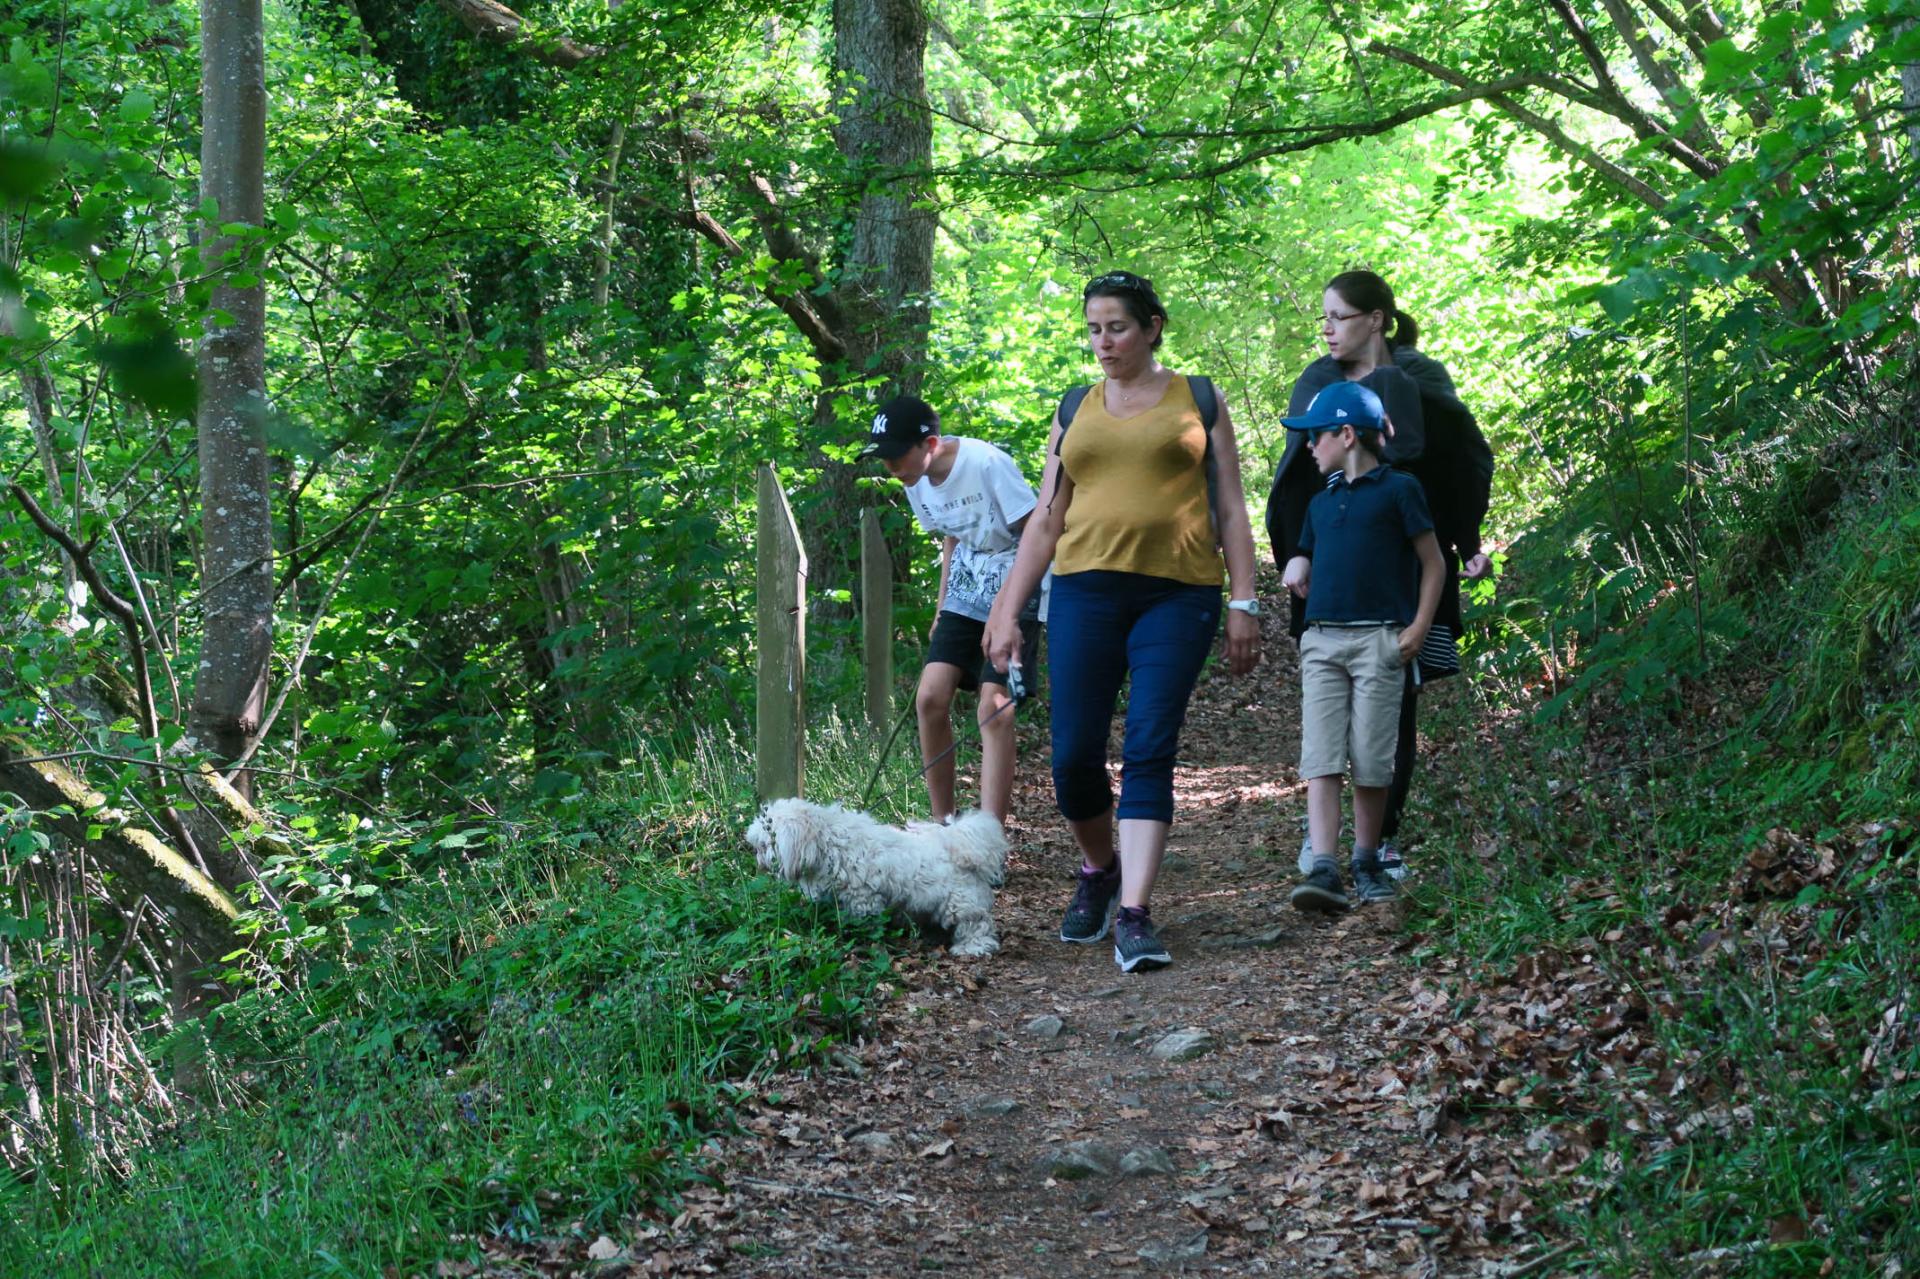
x: 1675, y: 840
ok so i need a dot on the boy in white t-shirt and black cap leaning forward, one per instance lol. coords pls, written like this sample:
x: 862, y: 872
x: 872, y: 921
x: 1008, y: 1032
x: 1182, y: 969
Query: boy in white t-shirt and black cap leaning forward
x: 974, y: 498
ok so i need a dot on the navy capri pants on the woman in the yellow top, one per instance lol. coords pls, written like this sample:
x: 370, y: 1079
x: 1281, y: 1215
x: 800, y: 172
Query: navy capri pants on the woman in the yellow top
x: 1103, y: 629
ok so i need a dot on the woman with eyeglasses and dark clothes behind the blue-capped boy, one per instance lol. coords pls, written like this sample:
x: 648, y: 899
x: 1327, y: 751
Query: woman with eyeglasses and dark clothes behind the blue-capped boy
x: 1372, y: 341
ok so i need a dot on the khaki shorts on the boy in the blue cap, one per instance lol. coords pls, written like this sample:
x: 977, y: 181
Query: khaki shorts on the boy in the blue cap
x: 1351, y: 681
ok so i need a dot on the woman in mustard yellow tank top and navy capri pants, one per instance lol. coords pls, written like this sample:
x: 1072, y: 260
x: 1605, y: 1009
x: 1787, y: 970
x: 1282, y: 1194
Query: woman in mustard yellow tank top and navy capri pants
x: 1141, y: 506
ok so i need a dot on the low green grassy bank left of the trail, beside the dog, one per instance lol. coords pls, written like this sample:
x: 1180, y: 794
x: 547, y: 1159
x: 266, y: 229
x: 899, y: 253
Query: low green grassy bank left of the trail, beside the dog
x: 539, y: 1044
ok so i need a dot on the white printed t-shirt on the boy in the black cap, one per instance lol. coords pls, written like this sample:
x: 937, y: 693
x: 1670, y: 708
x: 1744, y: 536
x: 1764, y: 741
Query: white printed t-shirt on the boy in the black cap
x: 982, y: 498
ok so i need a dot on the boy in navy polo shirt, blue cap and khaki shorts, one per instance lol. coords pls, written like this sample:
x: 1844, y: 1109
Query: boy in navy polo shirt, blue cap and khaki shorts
x: 1370, y: 569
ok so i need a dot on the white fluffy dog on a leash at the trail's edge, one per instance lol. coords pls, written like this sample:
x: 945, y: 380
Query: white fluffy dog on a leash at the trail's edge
x: 936, y: 875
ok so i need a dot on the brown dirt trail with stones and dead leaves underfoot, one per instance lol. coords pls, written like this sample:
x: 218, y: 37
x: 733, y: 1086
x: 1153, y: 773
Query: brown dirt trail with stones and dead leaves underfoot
x: 1013, y: 1117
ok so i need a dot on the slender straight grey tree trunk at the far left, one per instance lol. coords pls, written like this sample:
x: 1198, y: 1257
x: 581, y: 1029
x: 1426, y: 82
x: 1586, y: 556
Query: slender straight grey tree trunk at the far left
x: 235, y: 500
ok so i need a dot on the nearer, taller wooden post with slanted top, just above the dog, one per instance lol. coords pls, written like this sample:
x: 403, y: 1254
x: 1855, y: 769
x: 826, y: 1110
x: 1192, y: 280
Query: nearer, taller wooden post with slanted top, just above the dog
x: 780, y: 642
